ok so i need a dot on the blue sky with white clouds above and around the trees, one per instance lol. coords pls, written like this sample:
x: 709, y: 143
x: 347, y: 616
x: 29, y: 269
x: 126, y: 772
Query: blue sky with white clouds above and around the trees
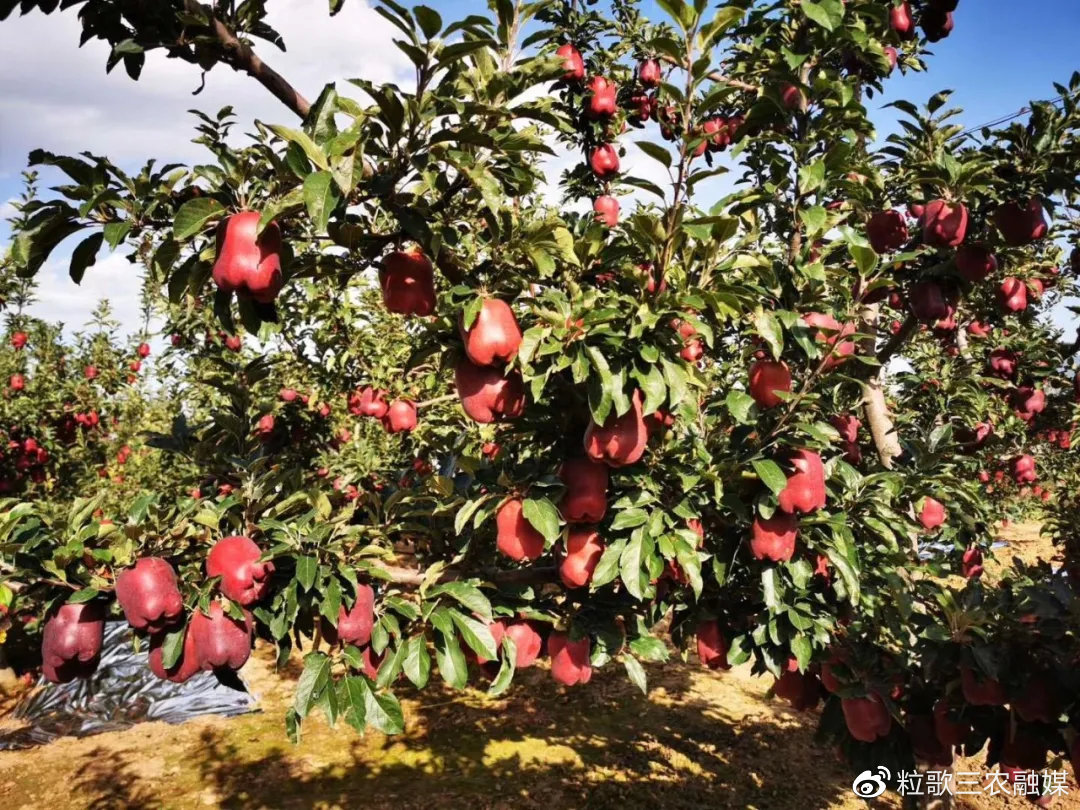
x: 1002, y: 55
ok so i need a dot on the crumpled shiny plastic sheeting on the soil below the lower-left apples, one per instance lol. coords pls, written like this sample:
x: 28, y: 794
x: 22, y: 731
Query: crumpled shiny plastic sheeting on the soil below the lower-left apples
x: 120, y: 694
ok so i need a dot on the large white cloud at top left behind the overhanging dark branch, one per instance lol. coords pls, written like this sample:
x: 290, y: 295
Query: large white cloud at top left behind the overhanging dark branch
x: 64, y: 102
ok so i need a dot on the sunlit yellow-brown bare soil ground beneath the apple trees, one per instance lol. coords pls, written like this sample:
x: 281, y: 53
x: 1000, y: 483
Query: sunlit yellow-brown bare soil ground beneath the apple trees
x: 700, y: 740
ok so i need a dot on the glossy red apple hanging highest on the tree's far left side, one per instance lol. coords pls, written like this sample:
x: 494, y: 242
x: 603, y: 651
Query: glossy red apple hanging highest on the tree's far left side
x: 249, y: 262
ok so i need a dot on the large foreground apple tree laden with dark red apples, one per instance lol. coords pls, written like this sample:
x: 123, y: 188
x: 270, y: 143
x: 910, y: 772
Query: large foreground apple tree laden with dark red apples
x: 769, y: 402
